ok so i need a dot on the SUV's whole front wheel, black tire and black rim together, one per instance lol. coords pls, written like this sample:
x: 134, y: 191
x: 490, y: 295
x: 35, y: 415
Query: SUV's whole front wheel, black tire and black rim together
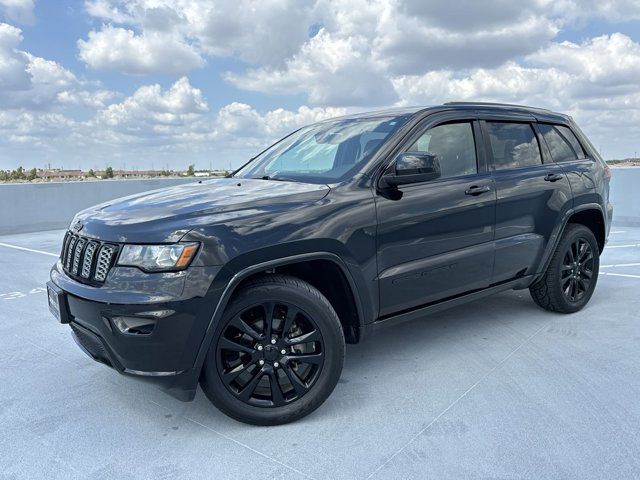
x: 299, y: 312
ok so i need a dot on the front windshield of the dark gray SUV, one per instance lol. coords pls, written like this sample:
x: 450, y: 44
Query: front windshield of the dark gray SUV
x: 326, y: 152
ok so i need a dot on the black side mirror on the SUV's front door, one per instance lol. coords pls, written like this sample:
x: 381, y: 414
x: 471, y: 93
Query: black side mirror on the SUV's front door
x: 412, y: 167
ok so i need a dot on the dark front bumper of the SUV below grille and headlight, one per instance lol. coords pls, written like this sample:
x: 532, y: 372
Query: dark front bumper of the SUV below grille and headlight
x: 165, y: 353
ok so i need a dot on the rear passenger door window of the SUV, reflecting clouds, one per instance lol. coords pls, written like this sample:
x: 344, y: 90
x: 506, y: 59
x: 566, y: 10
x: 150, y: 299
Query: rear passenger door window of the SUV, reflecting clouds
x: 514, y: 145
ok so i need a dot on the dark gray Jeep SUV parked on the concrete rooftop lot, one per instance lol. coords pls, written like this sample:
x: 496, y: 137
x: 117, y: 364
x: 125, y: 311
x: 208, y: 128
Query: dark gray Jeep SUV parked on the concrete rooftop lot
x: 251, y: 285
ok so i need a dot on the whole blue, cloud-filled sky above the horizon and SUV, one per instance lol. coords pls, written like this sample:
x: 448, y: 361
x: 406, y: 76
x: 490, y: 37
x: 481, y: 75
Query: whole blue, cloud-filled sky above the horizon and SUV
x: 143, y: 84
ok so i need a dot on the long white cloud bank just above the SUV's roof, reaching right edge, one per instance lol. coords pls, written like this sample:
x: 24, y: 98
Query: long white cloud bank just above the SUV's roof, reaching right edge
x: 559, y: 76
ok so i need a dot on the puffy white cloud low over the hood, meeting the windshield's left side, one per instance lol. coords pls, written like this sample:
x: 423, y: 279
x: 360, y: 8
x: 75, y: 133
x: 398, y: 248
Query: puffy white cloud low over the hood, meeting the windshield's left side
x: 180, y: 115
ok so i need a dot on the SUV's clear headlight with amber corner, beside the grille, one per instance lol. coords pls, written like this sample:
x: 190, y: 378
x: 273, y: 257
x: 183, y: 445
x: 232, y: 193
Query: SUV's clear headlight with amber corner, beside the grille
x: 158, y: 258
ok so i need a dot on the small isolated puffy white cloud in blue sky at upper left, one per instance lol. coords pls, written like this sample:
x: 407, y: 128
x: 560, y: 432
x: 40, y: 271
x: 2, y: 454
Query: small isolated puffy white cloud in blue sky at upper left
x: 114, y: 48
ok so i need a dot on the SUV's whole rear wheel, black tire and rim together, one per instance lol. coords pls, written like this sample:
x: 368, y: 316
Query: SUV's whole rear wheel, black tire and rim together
x: 554, y: 291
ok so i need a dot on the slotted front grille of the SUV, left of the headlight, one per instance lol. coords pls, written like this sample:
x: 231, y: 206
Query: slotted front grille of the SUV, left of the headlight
x: 87, y: 259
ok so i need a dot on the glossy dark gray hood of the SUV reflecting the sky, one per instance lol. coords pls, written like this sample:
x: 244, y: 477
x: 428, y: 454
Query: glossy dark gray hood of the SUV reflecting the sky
x: 166, y: 215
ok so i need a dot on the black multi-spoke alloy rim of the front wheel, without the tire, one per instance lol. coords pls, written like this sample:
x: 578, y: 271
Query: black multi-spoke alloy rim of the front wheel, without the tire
x: 270, y: 354
